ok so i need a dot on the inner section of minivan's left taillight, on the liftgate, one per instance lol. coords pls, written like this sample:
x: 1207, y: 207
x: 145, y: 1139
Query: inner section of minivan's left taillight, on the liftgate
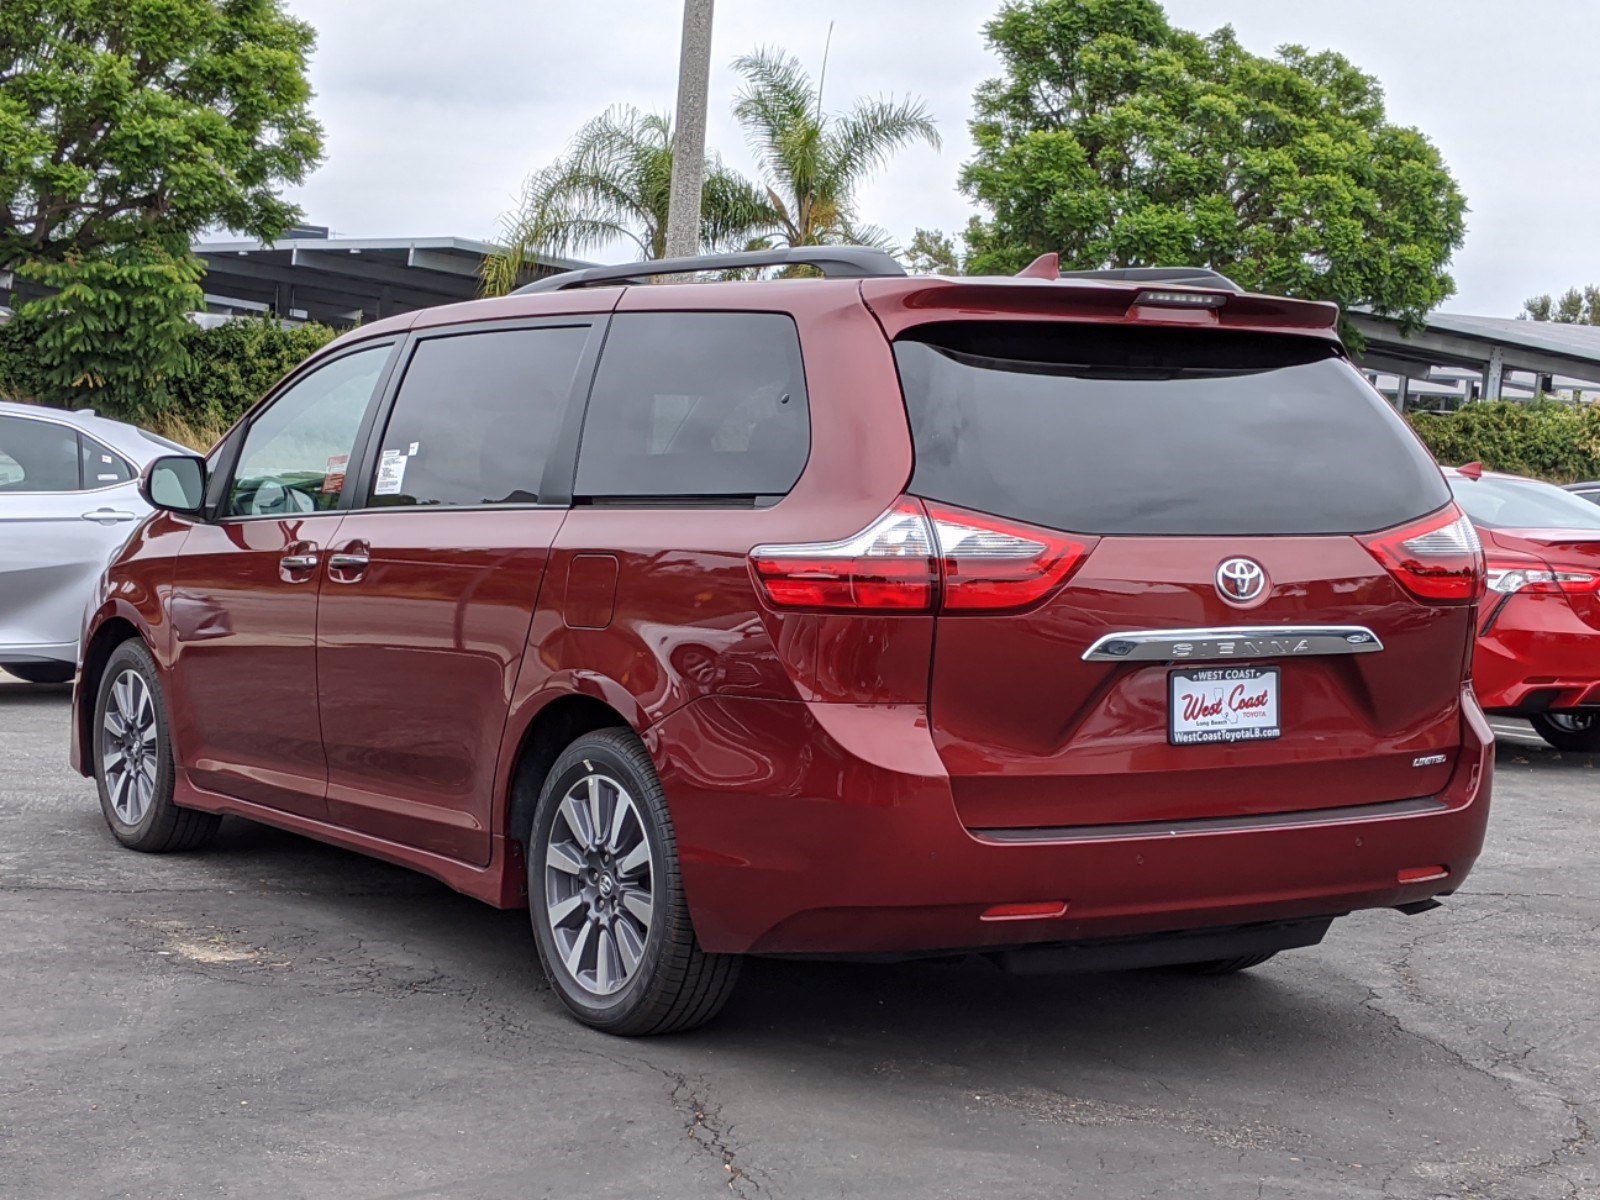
x: 991, y: 564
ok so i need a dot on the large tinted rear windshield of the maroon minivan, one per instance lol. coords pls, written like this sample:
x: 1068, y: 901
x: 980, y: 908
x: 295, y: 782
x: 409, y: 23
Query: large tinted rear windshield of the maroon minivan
x: 1114, y: 431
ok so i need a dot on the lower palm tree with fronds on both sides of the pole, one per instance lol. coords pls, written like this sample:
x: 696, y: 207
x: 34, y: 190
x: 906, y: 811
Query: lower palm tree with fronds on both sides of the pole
x: 615, y: 183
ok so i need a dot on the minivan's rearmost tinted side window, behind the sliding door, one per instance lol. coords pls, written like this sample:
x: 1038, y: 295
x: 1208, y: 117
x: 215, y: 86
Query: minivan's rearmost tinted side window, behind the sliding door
x: 697, y: 406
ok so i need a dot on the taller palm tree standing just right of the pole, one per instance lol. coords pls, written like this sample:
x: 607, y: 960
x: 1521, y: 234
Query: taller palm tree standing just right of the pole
x: 812, y: 162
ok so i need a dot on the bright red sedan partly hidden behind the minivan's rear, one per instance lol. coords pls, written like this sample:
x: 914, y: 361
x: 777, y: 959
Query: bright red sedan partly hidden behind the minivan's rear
x: 1538, y: 652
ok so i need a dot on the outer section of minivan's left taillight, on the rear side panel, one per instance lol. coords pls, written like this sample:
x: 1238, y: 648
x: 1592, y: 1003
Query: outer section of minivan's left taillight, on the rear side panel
x: 887, y: 567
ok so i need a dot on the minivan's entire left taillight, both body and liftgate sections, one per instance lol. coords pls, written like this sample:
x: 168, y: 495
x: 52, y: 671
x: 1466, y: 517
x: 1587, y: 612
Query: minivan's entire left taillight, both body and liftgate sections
x: 922, y: 561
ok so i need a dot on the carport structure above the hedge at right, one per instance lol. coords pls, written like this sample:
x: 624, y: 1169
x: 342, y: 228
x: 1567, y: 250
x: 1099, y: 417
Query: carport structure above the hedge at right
x: 1458, y: 359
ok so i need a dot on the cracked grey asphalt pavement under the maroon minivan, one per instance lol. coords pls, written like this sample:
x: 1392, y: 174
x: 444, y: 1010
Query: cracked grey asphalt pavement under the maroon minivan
x: 276, y: 1018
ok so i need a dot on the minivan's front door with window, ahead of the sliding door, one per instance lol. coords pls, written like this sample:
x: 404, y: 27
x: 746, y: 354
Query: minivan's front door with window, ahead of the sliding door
x: 244, y: 602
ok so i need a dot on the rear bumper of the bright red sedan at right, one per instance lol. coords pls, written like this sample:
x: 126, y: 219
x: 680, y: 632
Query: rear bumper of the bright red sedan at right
x: 1538, y: 655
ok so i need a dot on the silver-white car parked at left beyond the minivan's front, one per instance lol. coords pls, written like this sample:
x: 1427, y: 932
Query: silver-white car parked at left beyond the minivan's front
x: 70, y: 498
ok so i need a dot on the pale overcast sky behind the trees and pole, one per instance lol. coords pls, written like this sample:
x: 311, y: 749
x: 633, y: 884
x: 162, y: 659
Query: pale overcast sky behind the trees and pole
x: 438, y: 111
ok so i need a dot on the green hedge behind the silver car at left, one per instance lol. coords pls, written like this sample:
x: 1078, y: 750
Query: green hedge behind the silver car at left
x: 225, y: 370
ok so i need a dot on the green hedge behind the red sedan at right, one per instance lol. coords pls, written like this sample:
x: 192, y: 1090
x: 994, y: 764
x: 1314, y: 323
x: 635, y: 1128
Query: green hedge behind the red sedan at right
x: 1546, y: 439
